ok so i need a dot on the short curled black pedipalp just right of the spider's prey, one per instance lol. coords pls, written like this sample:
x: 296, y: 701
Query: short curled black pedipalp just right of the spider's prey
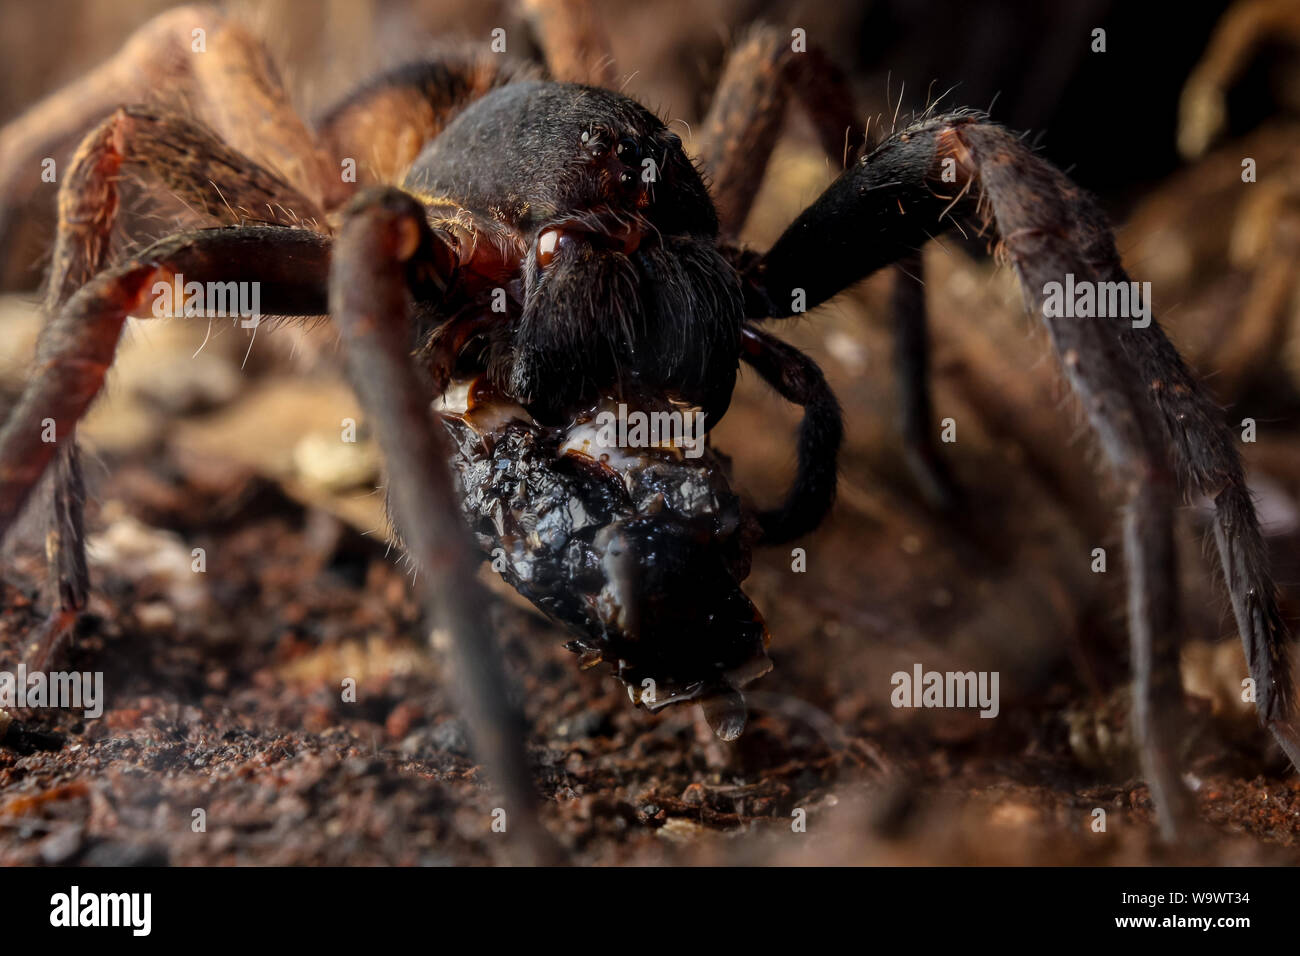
x: 798, y: 379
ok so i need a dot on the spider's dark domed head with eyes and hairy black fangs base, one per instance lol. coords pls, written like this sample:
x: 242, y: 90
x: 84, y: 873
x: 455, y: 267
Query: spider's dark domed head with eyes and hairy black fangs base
x: 619, y: 279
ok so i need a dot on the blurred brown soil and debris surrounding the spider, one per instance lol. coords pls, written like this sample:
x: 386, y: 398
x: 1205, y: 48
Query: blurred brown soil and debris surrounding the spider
x: 211, y: 439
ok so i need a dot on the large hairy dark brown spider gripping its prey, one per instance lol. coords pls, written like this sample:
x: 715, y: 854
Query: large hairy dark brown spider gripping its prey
x: 579, y: 211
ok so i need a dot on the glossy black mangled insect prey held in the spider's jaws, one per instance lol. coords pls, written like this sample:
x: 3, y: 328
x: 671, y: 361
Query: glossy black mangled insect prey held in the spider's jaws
x: 623, y: 527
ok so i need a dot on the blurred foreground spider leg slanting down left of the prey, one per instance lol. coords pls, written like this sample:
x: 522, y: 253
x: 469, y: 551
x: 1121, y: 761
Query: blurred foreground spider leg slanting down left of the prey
x: 384, y: 237
